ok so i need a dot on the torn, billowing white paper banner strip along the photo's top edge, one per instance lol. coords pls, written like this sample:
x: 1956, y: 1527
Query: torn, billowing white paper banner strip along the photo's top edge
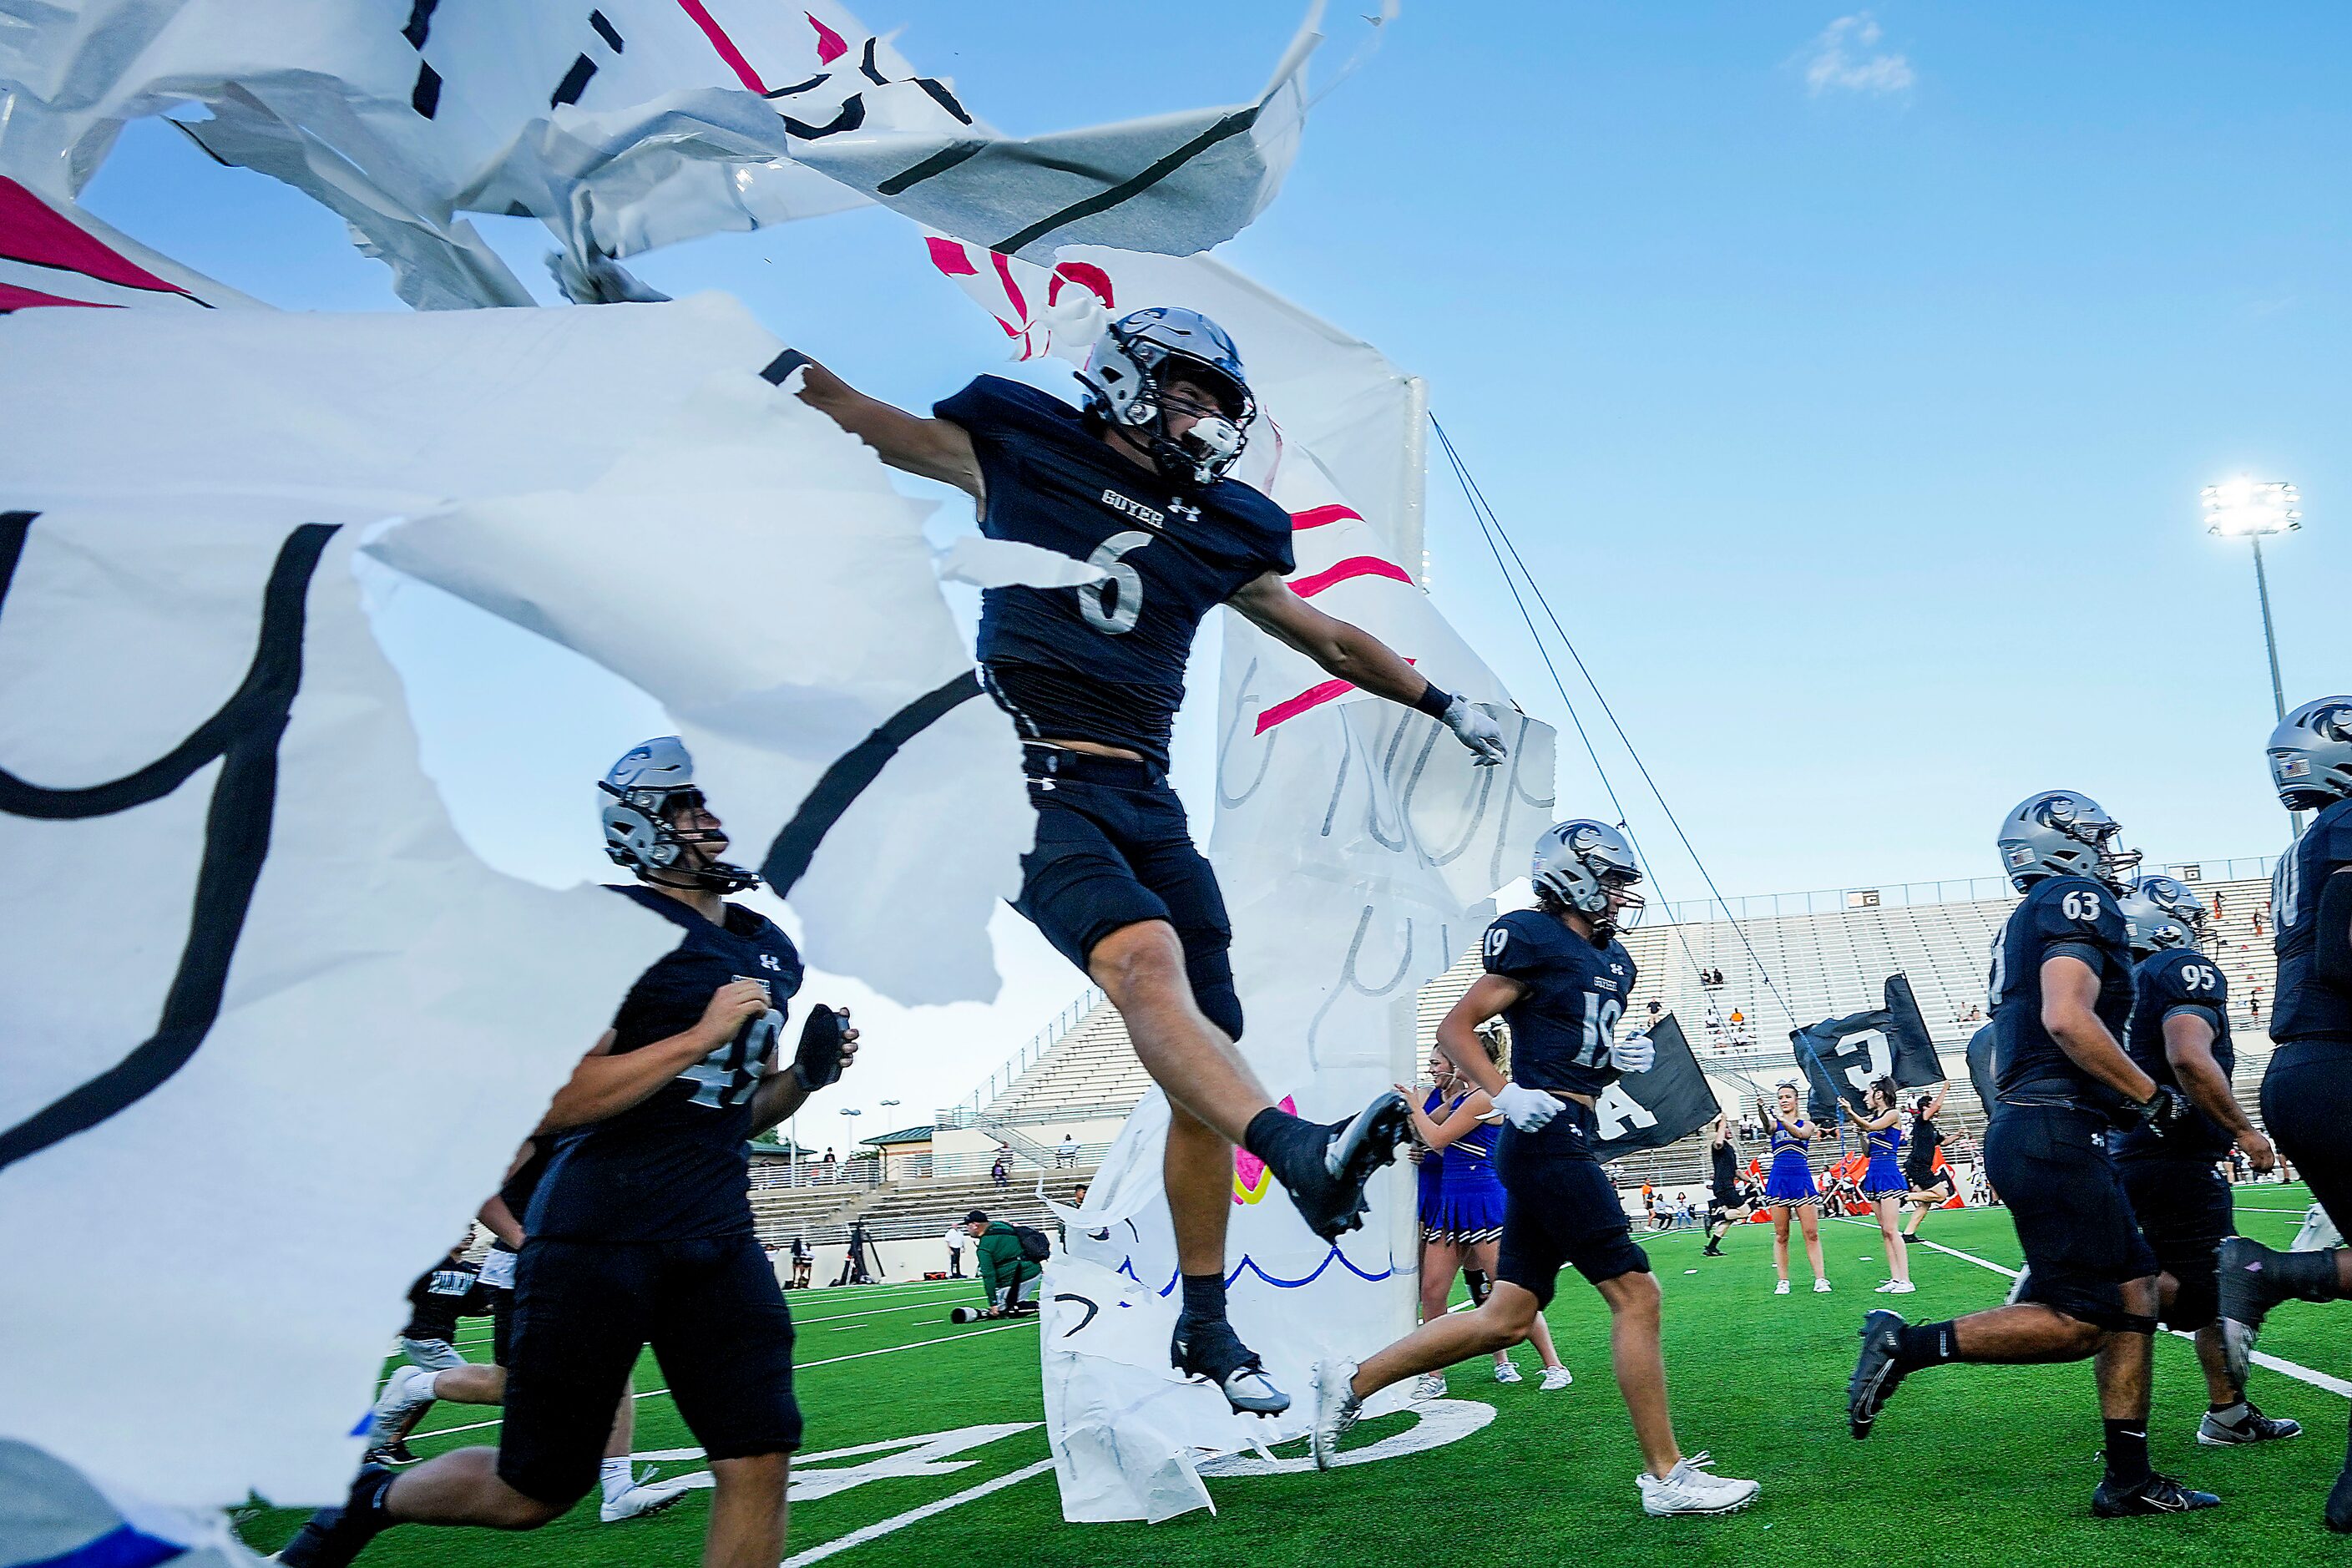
x: 624, y: 128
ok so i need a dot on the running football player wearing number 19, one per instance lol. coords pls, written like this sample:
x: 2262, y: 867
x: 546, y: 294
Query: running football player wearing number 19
x: 1561, y: 977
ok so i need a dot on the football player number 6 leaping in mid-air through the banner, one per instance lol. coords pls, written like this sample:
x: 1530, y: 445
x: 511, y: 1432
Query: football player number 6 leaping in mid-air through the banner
x: 1137, y: 485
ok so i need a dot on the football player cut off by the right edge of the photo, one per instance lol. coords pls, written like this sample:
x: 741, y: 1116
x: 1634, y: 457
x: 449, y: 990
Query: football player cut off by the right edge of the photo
x: 2308, y: 1085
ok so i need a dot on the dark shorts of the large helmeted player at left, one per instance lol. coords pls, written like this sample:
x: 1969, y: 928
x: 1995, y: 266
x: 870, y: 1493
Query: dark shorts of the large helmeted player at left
x: 584, y: 1311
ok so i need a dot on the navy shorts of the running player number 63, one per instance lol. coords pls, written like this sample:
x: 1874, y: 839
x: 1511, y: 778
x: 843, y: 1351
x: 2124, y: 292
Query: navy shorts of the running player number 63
x: 2073, y: 1217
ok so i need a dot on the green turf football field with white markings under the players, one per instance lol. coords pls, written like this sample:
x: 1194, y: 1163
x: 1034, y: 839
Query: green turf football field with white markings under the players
x: 1970, y: 1466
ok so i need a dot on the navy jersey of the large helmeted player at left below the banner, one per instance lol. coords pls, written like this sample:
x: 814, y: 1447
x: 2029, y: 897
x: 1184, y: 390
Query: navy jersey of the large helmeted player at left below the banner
x: 674, y: 1167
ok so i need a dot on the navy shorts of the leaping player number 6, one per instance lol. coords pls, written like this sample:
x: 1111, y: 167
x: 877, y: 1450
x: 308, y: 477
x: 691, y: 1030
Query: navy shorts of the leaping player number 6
x: 1114, y: 850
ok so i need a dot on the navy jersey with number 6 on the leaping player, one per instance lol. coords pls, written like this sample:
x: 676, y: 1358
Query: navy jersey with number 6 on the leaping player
x: 1102, y: 662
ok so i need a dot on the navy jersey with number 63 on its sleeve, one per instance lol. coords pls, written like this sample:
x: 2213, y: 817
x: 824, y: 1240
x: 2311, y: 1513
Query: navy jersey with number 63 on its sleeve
x: 2059, y: 918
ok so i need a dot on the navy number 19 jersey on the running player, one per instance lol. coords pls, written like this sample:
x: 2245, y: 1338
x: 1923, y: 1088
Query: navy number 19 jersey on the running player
x: 1563, y: 1026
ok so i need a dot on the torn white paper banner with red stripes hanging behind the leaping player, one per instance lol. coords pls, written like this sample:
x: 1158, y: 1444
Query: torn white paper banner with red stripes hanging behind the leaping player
x: 1356, y: 845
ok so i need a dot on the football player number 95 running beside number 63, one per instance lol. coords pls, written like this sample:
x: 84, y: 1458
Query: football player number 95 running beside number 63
x: 2181, y: 1038
